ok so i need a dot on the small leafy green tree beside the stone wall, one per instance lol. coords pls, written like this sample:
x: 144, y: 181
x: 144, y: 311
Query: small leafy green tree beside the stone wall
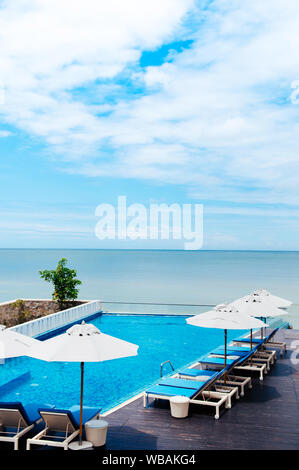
x: 64, y: 282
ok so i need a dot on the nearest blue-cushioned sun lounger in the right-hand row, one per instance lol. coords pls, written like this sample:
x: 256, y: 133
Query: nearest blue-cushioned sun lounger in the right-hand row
x: 200, y: 392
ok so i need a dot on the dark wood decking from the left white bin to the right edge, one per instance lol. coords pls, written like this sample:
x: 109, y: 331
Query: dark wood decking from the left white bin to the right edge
x: 266, y: 418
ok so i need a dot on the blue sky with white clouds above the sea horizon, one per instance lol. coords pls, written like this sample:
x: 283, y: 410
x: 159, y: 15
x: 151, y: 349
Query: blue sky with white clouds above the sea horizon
x: 178, y: 101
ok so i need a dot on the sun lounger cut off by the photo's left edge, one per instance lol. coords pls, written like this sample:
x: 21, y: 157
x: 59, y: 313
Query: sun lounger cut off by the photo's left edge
x: 16, y: 420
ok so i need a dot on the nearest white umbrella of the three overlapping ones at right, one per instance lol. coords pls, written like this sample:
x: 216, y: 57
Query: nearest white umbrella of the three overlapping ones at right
x: 225, y: 317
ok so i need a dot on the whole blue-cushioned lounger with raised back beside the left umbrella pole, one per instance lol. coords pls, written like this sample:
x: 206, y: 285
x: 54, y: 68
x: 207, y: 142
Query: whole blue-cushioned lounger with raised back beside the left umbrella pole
x: 61, y: 426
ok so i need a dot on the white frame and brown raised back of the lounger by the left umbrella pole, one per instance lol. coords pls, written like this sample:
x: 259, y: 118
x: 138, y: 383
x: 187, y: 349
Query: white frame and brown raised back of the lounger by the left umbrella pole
x: 59, y: 423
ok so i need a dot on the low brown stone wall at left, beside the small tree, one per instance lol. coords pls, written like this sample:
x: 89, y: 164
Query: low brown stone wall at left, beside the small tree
x: 22, y: 310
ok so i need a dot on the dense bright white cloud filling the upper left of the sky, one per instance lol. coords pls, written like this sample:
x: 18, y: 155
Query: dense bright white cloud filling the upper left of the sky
x: 49, y: 47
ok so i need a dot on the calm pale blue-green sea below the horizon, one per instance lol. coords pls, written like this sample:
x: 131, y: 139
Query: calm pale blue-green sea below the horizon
x: 187, y: 277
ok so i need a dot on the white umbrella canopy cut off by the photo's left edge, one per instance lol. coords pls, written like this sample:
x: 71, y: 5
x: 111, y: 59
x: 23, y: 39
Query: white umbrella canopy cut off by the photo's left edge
x: 13, y: 344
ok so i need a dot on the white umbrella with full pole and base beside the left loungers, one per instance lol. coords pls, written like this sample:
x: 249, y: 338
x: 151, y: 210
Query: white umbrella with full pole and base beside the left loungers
x: 83, y: 343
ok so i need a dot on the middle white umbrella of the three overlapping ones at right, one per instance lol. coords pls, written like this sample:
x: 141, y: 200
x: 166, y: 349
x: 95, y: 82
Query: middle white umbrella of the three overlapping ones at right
x: 257, y: 306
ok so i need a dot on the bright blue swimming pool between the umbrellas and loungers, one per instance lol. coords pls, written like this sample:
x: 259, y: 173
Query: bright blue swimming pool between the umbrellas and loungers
x: 108, y: 383
